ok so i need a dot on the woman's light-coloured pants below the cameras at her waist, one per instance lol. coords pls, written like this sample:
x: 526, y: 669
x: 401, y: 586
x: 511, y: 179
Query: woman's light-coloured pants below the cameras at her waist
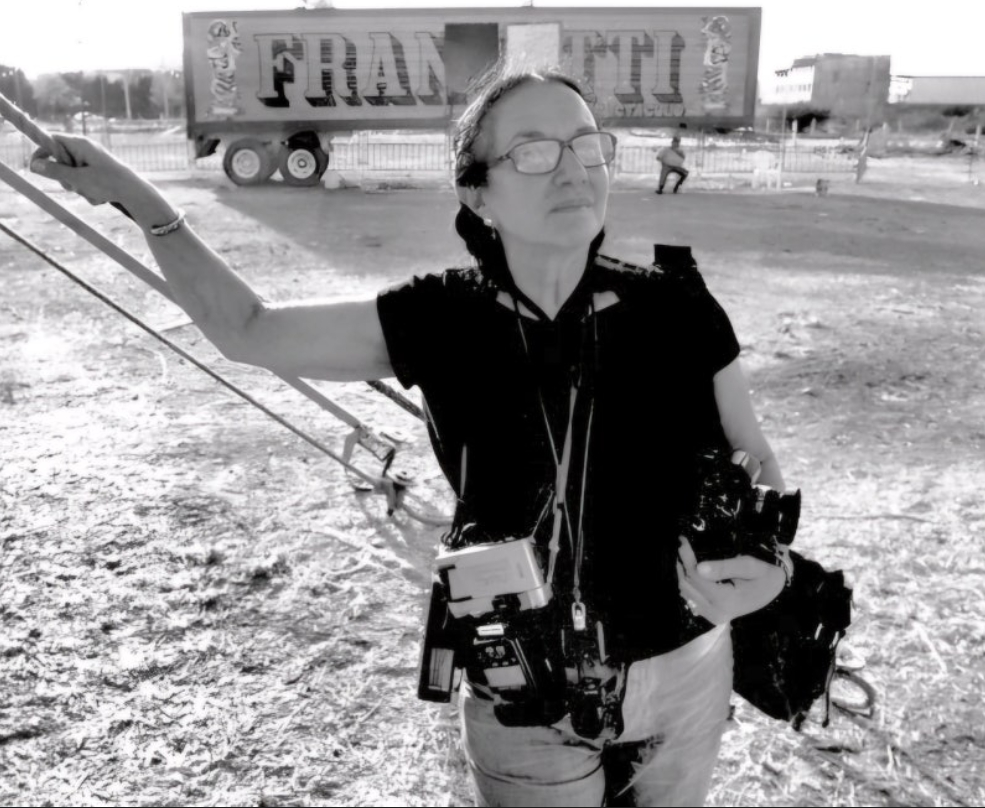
x: 674, y: 712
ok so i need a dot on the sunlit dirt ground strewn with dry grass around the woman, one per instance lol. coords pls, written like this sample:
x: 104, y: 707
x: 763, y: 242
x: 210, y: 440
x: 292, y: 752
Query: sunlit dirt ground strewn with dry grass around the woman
x: 198, y: 609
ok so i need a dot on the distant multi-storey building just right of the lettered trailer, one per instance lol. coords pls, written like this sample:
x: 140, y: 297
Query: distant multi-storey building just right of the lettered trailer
x: 842, y: 85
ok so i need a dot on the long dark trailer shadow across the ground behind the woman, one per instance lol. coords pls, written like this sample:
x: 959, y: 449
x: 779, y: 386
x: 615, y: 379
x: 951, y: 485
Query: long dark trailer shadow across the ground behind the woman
x: 340, y: 225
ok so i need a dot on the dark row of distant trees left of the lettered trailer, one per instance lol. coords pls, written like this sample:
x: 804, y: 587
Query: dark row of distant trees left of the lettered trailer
x: 125, y: 94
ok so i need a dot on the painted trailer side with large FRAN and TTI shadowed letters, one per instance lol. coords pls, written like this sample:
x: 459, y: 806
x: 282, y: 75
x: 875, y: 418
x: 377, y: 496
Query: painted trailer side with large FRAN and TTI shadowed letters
x: 332, y: 69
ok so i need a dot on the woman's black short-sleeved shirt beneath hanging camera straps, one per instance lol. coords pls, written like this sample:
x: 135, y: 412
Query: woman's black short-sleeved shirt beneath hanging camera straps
x: 646, y: 354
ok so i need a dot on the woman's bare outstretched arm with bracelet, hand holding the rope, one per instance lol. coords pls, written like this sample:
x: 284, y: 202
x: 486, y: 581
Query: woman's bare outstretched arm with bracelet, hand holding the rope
x: 339, y: 341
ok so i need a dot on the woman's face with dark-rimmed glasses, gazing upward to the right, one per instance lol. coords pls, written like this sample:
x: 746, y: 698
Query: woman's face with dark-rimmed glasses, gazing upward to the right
x: 564, y: 208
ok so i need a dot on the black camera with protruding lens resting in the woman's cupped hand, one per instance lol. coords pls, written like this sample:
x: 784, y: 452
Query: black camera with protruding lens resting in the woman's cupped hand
x: 730, y: 515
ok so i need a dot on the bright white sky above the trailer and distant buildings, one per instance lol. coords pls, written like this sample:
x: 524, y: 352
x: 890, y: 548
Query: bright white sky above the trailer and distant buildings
x: 942, y: 38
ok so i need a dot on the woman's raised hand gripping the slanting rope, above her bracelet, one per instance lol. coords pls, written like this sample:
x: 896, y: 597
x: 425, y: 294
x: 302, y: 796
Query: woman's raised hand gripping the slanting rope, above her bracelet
x: 95, y: 174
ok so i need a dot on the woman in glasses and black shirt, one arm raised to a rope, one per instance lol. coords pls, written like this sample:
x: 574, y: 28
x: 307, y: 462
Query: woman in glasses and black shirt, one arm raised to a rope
x: 531, y: 364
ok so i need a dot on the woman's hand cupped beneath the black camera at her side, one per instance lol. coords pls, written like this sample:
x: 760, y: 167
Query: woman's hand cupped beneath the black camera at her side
x: 727, y: 588
